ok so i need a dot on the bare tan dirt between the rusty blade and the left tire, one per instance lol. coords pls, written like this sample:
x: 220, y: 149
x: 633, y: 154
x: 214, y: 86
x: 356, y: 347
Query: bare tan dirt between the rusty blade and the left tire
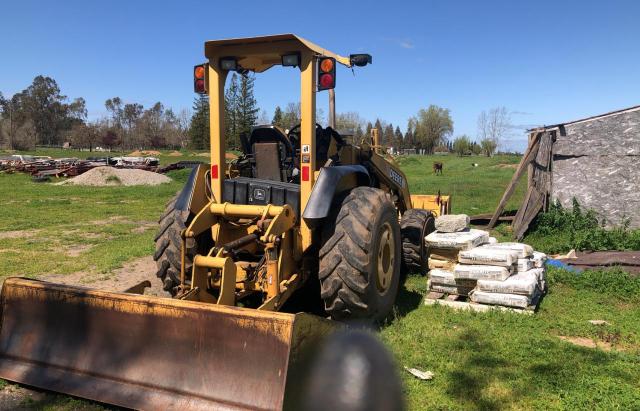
x: 131, y: 273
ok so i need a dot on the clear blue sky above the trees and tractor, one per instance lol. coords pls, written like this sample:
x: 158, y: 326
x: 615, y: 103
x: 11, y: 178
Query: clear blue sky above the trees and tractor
x: 545, y: 61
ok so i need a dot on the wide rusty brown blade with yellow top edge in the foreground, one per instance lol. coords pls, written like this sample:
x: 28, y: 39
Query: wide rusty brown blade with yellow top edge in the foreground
x: 152, y: 353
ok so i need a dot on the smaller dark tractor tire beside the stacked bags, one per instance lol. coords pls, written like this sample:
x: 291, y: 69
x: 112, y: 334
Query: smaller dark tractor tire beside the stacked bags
x: 415, y: 225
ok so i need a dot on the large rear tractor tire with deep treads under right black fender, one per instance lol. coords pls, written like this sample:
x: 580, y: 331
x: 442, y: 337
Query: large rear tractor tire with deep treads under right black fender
x: 360, y: 257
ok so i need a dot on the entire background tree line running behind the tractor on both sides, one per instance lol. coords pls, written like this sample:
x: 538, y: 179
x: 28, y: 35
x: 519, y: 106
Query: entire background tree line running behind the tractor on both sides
x: 41, y: 115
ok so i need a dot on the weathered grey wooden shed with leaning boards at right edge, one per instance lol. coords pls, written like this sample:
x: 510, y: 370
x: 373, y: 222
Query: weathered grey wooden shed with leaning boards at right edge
x: 595, y: 160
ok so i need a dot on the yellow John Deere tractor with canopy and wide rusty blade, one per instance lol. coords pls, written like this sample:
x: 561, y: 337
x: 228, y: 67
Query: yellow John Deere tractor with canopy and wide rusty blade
x: 301, y: 217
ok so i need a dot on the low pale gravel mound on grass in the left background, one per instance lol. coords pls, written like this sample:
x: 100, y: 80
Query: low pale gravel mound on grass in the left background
x: 109, y: 176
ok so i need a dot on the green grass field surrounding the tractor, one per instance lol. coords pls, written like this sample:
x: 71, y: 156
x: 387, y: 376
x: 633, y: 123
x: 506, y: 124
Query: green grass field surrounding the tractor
x: 480, y: 360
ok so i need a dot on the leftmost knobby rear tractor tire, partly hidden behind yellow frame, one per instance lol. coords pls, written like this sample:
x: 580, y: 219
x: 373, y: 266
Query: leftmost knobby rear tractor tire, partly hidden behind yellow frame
x: 168, y: 244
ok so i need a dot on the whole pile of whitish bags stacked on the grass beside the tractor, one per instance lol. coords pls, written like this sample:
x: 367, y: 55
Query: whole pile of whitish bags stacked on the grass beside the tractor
x: 468, y: 264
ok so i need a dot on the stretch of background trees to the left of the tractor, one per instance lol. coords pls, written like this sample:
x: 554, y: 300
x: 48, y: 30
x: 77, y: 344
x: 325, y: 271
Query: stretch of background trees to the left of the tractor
x: 42, y: 115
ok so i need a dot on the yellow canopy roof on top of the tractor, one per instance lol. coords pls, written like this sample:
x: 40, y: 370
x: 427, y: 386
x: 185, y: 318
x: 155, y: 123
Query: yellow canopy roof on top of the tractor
x: 261, y: 53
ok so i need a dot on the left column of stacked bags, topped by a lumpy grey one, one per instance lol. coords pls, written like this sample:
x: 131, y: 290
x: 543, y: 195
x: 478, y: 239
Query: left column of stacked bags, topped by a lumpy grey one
x: 452, y: 237
